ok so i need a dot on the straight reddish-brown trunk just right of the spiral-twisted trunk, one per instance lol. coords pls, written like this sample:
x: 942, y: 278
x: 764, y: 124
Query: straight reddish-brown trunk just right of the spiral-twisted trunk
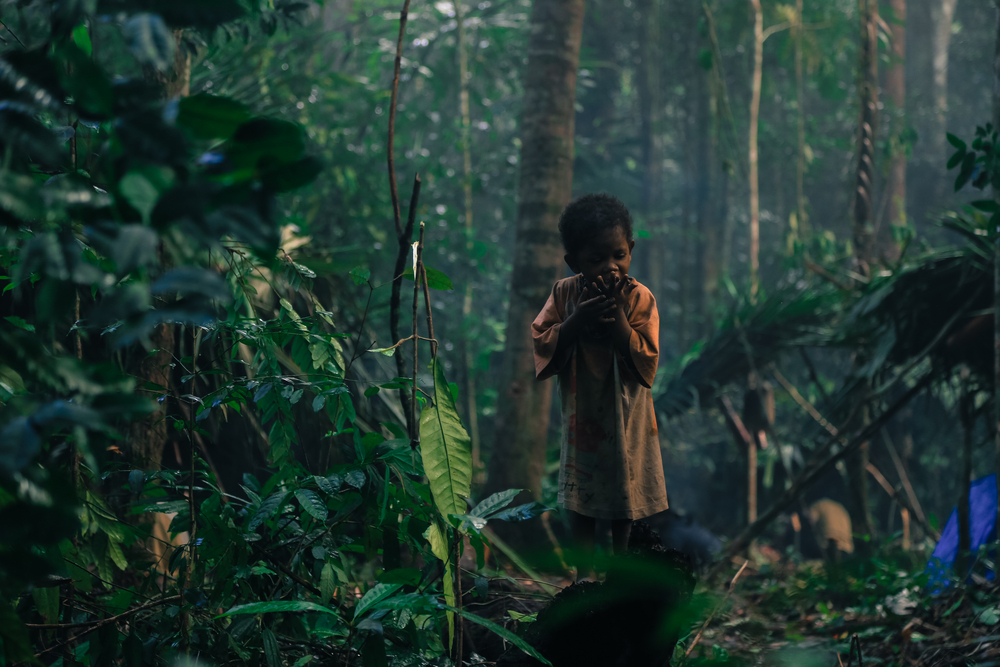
x: 896, y: 88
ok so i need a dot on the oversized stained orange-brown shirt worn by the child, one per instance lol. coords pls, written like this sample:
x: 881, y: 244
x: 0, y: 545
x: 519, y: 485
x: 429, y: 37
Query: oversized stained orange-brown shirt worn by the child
x: 610, y: 465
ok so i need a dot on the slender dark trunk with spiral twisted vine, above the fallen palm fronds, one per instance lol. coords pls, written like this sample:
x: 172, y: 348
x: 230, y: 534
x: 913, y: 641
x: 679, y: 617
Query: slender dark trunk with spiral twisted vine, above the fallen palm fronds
x: 857, y: 464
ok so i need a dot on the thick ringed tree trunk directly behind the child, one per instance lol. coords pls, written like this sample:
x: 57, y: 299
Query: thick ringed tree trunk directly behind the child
x: 545, y: 187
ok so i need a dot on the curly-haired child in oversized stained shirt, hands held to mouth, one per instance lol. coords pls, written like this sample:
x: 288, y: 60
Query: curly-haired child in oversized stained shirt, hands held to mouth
x: 599, y: 332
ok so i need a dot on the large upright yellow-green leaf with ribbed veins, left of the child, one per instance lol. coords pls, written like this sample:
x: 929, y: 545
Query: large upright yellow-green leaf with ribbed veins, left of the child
x: 445, y: 448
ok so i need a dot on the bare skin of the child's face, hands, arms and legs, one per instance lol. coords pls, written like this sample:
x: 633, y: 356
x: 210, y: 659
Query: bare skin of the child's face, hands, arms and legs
x: 604, y: 264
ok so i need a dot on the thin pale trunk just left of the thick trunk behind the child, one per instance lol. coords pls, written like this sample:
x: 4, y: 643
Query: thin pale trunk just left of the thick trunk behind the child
x: 466, y: 351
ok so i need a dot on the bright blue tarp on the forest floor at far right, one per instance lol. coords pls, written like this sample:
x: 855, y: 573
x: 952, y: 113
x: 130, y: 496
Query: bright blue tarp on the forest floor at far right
x: 982, y: 526
